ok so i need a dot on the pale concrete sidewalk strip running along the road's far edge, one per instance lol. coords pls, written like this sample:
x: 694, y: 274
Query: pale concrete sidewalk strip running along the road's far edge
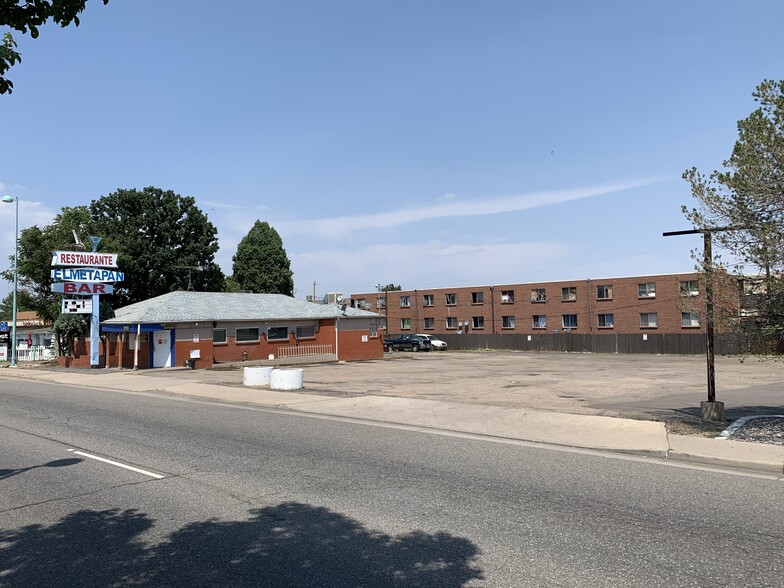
x: 603, y: 433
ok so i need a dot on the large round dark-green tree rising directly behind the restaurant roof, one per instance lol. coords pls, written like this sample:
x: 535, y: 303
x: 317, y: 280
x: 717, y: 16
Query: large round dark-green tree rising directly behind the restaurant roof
x: 164, y: 241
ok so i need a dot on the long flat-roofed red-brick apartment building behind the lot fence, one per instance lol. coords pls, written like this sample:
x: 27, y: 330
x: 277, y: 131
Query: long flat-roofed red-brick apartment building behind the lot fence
x: 666, y: 304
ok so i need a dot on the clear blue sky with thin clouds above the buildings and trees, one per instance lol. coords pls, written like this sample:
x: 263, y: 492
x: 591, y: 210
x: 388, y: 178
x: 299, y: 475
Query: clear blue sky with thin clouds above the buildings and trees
x: 425, y: 143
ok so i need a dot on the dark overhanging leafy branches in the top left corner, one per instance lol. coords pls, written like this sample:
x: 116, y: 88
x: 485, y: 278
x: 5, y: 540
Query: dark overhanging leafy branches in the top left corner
x: 28, y: 16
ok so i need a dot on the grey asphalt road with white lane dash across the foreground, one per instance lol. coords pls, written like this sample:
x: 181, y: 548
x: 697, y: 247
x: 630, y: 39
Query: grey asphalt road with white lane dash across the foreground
x: 253, y: 497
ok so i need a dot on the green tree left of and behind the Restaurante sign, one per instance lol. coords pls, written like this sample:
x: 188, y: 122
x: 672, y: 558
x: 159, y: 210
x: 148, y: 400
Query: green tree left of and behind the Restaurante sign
x: 35, y: 258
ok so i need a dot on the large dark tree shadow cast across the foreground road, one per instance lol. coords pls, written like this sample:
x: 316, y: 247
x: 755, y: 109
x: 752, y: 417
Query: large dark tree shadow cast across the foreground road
x: 291, y: 544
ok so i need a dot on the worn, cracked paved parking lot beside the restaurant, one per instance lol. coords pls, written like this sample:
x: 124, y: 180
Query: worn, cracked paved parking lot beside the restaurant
x: 645, y: 386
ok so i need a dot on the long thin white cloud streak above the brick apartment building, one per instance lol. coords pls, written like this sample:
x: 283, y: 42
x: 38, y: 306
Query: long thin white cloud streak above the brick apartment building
x: 341, y: 226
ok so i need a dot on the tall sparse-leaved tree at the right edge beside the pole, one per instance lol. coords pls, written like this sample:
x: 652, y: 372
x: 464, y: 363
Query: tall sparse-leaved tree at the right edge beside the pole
x: 748, y: 198
